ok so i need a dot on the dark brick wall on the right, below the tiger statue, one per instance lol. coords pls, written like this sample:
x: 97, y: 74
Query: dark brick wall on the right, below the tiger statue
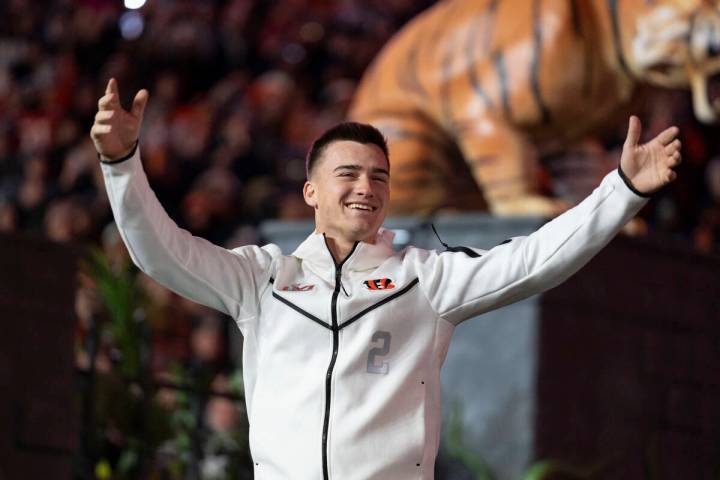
x: 629, y: 366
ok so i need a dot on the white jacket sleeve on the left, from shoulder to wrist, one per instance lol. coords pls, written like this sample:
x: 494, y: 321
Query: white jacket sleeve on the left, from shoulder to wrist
x: 227, y: 280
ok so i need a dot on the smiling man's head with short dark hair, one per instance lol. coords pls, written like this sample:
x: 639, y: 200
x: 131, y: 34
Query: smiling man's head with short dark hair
x: 349, y: 190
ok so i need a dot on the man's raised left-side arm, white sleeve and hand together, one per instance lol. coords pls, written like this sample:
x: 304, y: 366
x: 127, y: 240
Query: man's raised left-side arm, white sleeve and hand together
x: 229, y: 281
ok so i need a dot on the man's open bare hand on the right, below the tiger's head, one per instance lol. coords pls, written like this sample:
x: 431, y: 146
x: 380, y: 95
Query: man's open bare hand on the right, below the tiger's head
x: 649, y: 166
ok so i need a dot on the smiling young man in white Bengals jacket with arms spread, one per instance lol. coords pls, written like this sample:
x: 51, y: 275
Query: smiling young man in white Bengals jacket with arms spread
x: 344, y: 338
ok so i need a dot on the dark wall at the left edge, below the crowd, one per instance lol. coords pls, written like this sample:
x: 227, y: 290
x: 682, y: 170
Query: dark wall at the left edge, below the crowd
x: 38, y: 427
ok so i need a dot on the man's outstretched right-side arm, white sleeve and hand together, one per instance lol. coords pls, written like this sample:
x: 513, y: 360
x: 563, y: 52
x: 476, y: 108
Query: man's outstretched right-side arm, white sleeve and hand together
x: 460, y: 286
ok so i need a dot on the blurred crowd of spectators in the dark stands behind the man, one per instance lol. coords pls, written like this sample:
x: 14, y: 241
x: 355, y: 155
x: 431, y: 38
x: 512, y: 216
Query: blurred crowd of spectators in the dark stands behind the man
x: 238, y: 90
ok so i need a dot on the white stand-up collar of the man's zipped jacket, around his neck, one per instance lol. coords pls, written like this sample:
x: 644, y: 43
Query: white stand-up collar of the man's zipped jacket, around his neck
x: 366, y: 256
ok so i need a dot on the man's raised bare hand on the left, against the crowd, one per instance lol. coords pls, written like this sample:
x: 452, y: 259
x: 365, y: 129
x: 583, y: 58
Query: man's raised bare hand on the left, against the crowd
x: 115, y: 130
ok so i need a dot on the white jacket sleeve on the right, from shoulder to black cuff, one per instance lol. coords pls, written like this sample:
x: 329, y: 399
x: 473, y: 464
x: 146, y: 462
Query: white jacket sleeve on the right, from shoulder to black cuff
x: 460, y: 287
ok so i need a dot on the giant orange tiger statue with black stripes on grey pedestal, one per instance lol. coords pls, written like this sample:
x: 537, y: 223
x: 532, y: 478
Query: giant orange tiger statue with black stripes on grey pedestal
x: 494, y: 84
